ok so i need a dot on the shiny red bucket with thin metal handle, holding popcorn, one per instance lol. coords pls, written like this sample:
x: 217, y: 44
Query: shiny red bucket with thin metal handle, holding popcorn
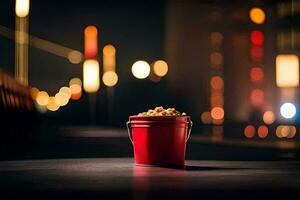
x: 159, y: 140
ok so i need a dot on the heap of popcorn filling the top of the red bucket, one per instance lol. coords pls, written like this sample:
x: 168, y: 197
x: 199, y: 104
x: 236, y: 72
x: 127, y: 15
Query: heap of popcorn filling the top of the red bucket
x: 160, y: 111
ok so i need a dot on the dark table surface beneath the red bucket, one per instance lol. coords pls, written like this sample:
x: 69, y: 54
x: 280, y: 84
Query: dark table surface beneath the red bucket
x: 119, y: 178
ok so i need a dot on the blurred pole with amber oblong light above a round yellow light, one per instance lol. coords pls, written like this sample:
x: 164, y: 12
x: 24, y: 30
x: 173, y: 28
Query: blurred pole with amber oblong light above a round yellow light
x: 110, y: 77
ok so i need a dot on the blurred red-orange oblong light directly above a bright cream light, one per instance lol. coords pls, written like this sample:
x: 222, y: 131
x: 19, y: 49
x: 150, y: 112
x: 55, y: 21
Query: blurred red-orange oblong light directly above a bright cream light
x: 91, y: 42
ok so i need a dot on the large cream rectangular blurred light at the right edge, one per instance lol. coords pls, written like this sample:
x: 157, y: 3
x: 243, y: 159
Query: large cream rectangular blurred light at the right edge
x: 287, y: 70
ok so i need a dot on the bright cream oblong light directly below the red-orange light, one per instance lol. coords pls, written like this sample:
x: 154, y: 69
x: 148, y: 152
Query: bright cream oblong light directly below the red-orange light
x: 91, y: 74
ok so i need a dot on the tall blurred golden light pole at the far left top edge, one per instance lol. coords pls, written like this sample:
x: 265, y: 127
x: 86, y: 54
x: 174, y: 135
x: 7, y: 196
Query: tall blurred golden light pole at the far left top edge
x: 21, y: 41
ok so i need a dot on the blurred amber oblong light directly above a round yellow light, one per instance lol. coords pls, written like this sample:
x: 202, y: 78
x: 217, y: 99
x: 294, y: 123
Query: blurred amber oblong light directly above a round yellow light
x: 109, y: 58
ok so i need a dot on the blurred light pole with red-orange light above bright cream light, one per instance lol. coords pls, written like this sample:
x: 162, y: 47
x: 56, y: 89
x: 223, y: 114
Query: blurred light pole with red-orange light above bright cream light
x: 91, y: 69
